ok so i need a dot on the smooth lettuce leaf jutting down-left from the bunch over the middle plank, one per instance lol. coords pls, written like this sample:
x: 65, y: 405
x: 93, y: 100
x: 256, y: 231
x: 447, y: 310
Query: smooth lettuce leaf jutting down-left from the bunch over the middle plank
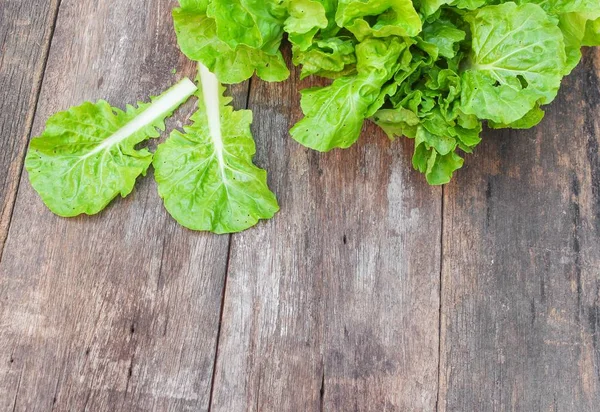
x: 334, y: 115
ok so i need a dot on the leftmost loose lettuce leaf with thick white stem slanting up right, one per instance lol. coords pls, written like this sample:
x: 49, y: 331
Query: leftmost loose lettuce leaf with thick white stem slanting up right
x: 87, y: 155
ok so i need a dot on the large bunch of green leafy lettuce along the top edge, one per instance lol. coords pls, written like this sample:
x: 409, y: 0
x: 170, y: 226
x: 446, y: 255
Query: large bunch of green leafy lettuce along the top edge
x: 431, y: 70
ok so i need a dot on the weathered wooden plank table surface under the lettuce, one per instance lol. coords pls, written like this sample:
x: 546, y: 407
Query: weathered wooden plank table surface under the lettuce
x: 370, y: 291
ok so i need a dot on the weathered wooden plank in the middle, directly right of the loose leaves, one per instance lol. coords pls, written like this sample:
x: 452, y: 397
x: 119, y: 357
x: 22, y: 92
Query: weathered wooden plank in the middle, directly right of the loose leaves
x: 333, y: 304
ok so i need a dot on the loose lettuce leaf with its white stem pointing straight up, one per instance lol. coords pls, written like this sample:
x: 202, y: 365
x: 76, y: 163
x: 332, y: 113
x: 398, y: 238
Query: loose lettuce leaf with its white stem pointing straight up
x: 206, y: 176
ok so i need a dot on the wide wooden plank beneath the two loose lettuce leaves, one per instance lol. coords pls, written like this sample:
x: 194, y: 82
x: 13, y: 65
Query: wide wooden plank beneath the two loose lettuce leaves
x: 117, y: 312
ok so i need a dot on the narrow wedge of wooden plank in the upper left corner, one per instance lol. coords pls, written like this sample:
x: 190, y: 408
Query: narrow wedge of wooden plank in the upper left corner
x: 25, y: 34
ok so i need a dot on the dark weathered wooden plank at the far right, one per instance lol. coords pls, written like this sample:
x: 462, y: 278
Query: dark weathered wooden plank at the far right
x: 521, y: 276
